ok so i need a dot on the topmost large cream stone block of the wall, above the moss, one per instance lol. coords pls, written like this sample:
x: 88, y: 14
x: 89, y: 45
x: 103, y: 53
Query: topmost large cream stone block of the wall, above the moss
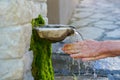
x: 15, y: 12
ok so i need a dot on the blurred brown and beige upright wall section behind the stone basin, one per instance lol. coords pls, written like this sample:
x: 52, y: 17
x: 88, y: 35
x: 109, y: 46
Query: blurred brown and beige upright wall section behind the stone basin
x: 60, y: 11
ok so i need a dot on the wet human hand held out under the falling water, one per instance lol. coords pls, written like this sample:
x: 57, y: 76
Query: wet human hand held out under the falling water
x: 86, y: 50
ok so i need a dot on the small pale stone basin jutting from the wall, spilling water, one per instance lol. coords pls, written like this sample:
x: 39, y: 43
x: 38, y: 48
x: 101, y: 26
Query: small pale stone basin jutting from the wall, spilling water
x: 54, y: 34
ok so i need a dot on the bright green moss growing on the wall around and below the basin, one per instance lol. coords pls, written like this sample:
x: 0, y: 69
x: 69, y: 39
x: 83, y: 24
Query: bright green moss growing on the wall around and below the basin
x: 42, y: 65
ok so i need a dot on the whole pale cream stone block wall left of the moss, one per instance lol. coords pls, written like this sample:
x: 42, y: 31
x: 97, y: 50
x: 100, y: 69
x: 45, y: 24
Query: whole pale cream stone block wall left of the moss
x: 15, y: 34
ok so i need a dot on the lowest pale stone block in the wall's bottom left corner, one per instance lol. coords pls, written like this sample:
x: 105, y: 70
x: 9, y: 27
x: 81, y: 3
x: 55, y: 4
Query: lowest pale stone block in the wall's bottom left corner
x: 11, y: 69
